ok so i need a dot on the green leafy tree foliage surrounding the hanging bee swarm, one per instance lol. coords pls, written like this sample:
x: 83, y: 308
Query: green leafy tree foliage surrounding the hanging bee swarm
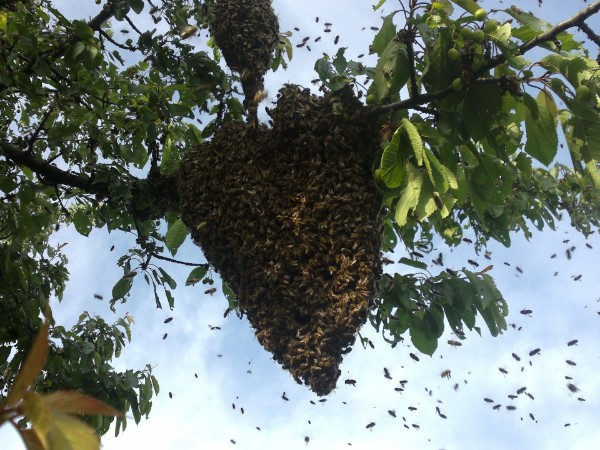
x: 96, y: 123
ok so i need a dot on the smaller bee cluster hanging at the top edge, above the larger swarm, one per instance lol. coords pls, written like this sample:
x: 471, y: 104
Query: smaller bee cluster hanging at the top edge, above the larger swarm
x: 247, y: 33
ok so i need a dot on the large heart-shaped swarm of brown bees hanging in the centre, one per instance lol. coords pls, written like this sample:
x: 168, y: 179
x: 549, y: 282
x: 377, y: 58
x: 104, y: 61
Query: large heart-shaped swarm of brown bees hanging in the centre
x: 289, y: 216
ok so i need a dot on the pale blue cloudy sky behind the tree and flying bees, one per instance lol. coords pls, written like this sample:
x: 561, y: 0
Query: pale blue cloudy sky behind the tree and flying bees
x: 234, y: 371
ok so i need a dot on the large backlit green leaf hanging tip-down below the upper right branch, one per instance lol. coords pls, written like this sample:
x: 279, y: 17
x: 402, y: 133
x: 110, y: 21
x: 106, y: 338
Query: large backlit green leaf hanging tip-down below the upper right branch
x: 541, y: 119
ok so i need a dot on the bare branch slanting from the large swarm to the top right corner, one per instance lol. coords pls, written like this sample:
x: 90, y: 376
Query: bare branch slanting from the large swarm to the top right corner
x: 416, y: 100
